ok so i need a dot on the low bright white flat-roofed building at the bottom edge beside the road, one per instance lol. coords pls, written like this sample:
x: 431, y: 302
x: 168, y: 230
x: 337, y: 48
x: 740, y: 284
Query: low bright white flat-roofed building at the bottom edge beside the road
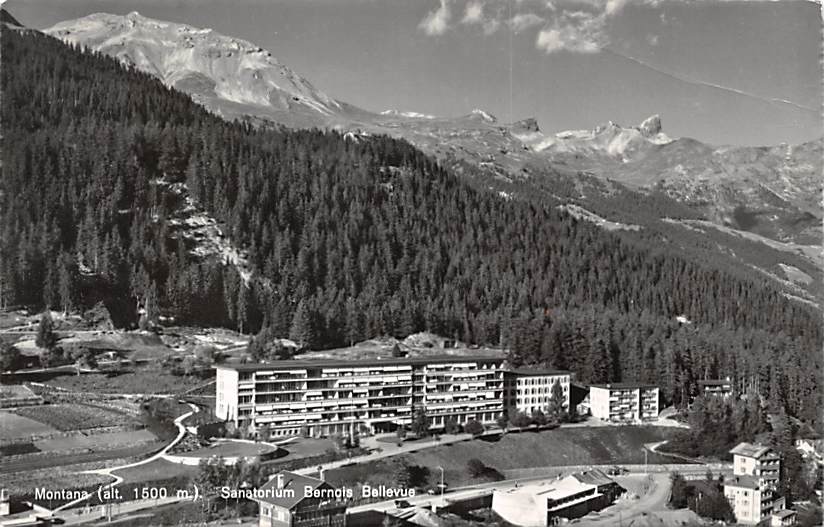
x: 553, y: 503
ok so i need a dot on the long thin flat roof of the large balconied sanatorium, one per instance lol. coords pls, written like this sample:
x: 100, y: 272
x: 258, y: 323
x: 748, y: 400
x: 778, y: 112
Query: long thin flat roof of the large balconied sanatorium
x: 331, y: 363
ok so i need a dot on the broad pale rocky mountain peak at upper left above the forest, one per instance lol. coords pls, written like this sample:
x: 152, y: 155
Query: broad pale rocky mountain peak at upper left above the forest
x: 222, y: 72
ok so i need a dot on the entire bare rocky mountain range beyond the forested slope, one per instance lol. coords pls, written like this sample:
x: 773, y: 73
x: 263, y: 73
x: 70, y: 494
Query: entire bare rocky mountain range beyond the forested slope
x: 769, y: 198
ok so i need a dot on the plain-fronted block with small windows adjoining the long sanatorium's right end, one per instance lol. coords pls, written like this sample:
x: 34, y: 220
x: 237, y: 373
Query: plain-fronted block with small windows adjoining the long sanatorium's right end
x: 530, y: 389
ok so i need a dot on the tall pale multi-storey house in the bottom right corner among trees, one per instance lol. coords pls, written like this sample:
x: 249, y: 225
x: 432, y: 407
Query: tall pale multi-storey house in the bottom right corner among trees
x: 752, y: 491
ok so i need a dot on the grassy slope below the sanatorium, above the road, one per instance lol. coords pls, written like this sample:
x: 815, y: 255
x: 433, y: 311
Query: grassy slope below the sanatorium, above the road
x: 563, y: 446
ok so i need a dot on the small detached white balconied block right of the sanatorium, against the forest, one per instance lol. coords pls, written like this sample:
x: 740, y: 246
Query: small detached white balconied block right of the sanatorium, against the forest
x: 624, y: 402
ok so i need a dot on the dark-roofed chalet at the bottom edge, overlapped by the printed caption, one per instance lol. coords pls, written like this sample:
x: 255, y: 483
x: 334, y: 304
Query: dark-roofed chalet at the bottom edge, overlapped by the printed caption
x: 293, y: 500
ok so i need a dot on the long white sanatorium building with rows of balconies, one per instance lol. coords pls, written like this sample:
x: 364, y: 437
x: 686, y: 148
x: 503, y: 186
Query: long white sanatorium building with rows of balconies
x: 374, y: 396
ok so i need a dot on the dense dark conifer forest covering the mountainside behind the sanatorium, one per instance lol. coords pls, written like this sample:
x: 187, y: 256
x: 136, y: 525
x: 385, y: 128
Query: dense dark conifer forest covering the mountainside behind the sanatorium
x: 349, y: 239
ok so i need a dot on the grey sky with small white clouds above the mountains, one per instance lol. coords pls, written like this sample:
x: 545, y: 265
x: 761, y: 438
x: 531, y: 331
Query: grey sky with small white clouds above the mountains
x: 723, y: 72
